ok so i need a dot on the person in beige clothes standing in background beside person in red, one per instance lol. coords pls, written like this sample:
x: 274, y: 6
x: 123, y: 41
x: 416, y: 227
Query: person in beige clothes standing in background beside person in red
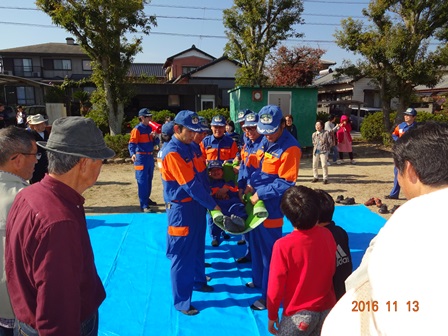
x: 321, y: 147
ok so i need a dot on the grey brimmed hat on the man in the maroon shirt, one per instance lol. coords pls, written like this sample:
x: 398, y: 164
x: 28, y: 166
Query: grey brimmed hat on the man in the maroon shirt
x: 77, y: 136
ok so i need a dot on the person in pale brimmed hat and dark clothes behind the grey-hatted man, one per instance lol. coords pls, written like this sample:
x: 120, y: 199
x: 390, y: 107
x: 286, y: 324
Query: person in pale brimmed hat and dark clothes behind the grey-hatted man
x: 37, y: 124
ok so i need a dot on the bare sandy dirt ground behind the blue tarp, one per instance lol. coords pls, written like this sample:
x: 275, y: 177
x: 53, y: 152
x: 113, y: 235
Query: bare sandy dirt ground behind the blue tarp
x: 372, y: 176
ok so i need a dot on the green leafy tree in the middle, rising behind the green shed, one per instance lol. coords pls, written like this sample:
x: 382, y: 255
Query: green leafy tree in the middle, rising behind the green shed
x: 253, y: 29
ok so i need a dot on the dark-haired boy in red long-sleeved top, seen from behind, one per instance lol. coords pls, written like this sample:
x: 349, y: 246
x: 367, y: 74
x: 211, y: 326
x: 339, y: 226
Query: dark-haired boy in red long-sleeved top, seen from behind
x: 302, y: 269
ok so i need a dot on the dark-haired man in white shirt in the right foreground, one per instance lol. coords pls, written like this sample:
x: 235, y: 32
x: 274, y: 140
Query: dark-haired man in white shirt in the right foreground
x: 400, y: 287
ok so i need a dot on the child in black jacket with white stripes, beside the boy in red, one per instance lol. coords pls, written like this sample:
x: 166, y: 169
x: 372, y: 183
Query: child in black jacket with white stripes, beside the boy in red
x: 344, y: 265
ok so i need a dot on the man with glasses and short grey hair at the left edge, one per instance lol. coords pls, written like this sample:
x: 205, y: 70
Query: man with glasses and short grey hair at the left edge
x: 18, y: 156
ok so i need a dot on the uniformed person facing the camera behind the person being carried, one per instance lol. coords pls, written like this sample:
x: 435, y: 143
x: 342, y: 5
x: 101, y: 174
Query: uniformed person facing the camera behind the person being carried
x: 218, y: 146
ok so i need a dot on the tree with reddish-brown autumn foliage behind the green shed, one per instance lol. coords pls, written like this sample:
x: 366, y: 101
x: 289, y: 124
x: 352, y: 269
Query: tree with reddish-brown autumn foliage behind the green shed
x: 294, y: 67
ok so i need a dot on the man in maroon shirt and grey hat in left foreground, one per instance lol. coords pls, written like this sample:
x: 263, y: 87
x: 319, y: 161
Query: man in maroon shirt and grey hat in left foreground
x: 51, y: 275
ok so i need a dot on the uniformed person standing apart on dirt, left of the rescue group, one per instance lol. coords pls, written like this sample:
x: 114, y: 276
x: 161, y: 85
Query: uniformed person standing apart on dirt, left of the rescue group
x: 141, y: 147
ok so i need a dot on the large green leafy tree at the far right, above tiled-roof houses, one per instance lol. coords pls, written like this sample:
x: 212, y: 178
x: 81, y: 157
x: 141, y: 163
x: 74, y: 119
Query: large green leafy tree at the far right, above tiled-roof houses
x: 396, y: 46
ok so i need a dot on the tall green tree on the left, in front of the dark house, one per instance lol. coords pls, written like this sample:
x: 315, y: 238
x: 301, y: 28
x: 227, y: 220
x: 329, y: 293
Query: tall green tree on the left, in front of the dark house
x: 100, y: 27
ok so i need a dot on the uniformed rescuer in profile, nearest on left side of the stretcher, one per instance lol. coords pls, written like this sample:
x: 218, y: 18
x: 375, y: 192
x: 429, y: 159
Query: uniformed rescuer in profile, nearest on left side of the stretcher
x: 186, y: 197
